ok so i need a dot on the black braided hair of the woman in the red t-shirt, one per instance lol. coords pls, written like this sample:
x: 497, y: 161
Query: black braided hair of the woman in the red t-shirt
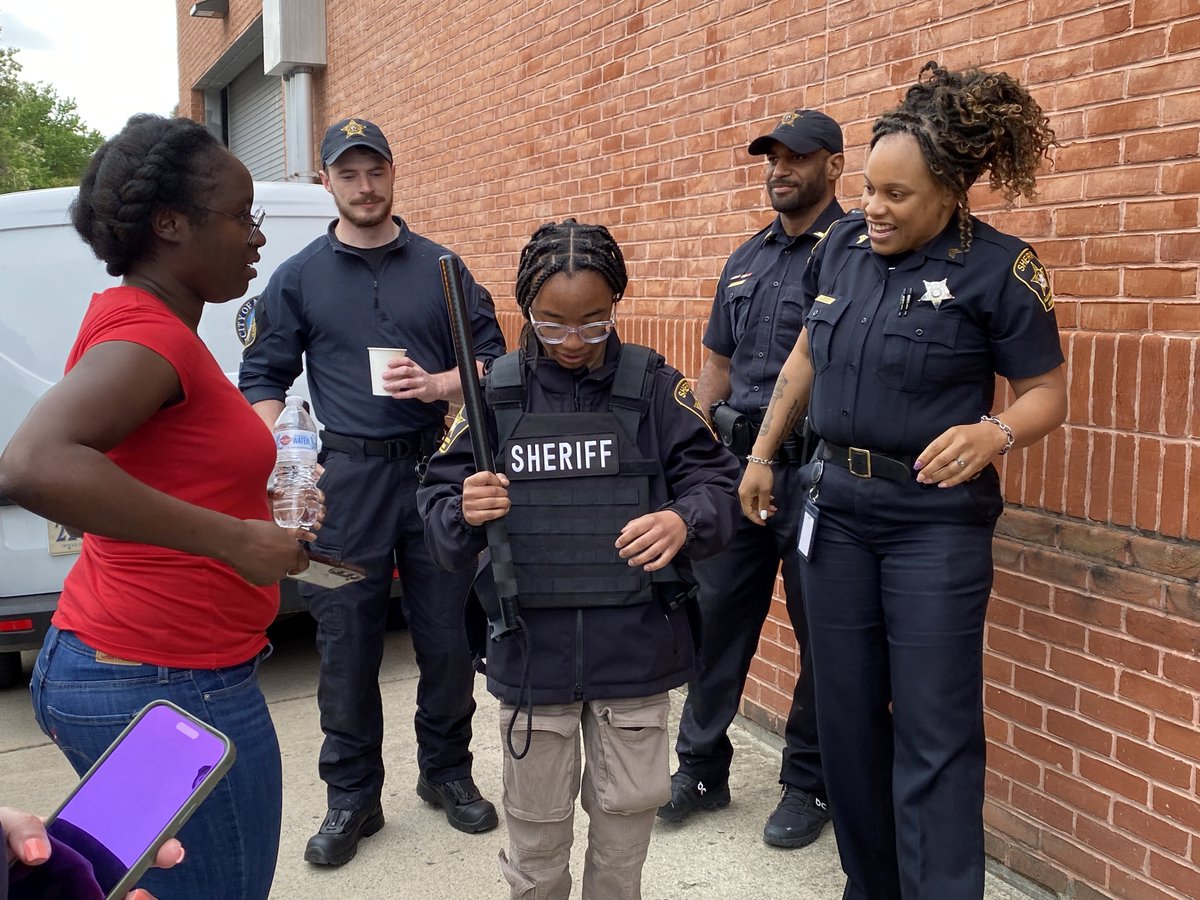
x: 153, y: 164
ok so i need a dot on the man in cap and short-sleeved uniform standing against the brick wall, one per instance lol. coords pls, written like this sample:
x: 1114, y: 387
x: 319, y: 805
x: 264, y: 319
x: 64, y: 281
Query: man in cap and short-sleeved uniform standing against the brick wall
x: 755, y: 321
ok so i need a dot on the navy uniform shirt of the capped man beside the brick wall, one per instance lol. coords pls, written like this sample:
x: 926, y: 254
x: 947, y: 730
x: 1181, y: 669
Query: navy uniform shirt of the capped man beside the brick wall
x: 758, y: 311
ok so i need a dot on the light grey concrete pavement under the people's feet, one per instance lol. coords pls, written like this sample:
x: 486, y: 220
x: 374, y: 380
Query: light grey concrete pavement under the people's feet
x: 718, y: 856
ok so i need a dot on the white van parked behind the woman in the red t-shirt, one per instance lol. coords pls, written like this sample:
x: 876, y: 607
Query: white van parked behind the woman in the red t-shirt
x: 47, y: 278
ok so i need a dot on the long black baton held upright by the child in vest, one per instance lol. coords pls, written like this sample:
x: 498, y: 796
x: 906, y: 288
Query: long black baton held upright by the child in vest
x: 502, y: 617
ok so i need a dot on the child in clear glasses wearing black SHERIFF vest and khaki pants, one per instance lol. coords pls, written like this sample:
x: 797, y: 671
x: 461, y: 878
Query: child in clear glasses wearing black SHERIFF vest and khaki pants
x: 609, y: 472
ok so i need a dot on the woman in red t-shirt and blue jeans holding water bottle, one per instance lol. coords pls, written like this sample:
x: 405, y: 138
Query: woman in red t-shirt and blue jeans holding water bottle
x: 148, y: 448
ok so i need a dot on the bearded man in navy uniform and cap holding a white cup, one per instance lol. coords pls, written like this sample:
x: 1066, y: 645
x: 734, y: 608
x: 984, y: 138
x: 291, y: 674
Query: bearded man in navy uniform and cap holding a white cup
x: 370, y: 281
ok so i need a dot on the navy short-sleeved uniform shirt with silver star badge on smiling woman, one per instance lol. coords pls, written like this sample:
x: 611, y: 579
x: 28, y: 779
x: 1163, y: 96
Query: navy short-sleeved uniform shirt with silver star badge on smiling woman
x: 904, y: 353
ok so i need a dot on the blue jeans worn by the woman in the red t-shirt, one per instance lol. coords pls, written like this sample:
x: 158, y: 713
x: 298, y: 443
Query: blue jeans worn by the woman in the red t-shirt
x: 233, y: 839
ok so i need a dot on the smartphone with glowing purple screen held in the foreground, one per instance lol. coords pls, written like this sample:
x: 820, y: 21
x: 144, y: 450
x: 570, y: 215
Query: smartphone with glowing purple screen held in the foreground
x: 128, y: 802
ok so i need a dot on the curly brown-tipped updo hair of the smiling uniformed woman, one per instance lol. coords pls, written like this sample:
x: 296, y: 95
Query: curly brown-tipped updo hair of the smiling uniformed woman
x: 970, y: 122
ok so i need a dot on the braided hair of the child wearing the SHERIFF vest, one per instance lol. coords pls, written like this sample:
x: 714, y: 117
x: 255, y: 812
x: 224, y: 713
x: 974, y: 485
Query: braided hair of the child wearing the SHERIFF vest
x: 567, y: 247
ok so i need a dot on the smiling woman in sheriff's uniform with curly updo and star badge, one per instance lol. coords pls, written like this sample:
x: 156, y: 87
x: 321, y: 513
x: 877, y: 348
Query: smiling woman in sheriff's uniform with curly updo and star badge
x: 914, y: 307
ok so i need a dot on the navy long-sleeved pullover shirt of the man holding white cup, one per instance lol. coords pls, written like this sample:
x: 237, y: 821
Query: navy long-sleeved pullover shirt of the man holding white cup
x: 329, y: 303
